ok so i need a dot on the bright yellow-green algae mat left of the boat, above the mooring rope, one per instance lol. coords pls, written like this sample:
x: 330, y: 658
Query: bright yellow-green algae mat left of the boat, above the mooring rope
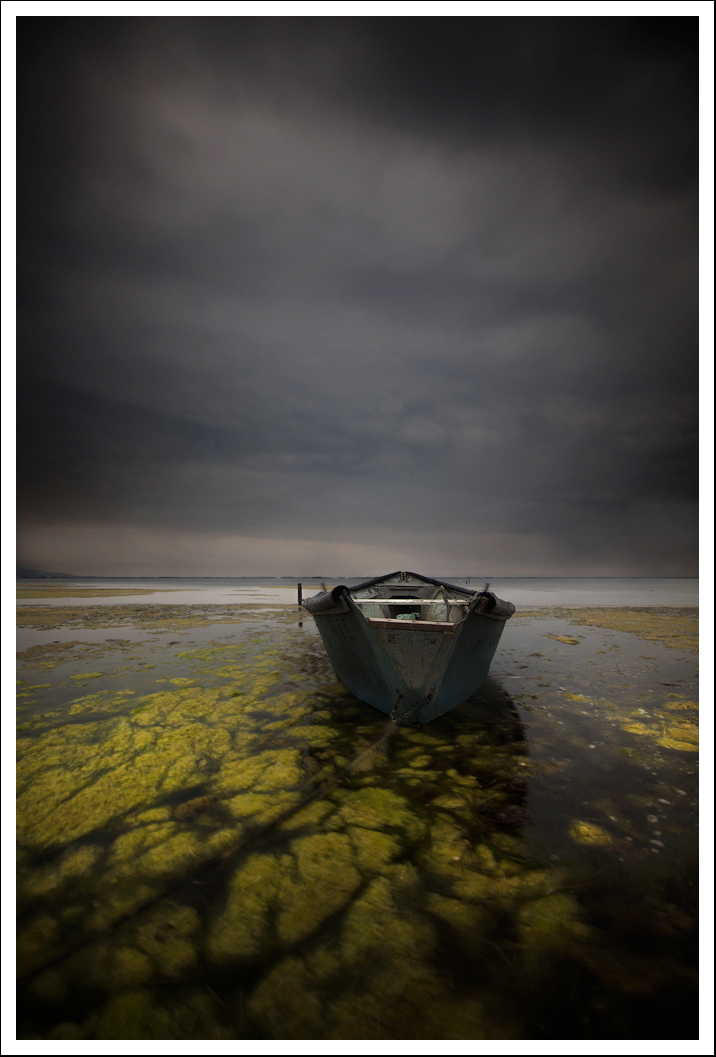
x: 185, y: 775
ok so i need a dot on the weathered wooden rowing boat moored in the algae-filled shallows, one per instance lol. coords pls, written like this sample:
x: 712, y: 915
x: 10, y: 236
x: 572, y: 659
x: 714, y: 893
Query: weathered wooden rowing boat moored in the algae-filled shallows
x: 412, y: 646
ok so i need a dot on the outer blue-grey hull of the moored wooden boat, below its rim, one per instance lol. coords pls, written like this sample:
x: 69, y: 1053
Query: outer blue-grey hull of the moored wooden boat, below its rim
x: 413, y: 671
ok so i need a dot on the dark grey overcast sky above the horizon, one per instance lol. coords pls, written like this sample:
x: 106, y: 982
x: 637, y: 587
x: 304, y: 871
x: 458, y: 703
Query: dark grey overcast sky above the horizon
x: 346, y: 295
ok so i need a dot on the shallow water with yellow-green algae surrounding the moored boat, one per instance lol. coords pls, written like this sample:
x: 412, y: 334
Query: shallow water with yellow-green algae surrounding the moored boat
x: 218, y: 842
